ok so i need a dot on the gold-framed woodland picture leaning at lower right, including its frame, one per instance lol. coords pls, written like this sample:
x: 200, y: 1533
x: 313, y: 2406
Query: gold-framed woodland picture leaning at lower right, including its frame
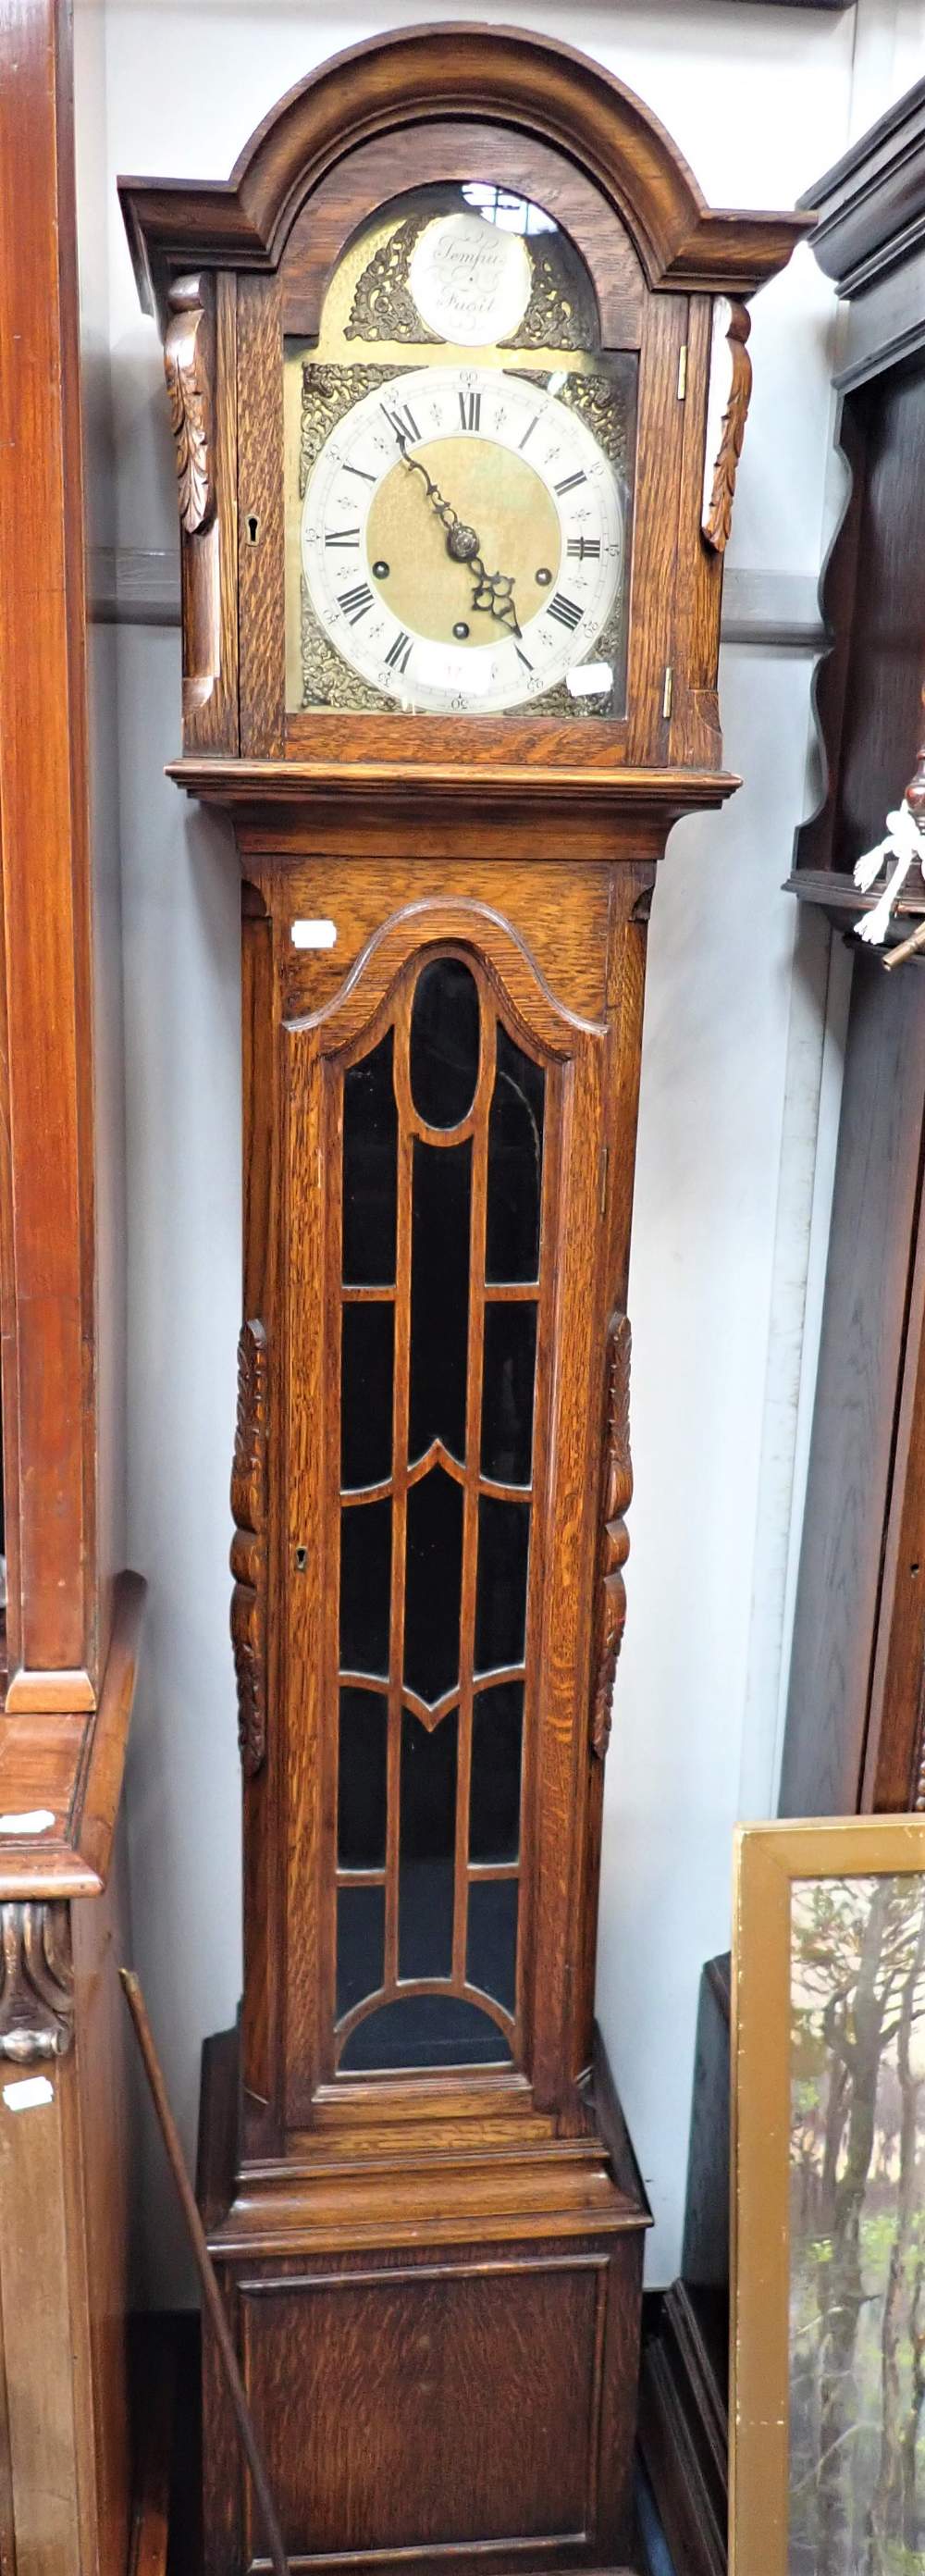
x: 828, y: 2201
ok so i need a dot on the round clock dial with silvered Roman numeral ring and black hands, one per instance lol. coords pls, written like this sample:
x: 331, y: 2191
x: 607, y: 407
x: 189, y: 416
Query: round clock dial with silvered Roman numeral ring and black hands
x: 462, y: 540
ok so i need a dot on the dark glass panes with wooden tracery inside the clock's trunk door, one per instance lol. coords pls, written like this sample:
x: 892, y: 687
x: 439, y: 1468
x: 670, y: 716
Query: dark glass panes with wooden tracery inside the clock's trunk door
x: 450, y: 1032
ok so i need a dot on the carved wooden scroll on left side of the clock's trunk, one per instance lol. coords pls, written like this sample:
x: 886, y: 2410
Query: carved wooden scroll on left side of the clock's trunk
x: 249, y: 1544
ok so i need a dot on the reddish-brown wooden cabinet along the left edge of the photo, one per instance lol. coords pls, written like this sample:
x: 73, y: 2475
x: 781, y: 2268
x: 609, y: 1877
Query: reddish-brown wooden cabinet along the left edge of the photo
x: 71, y: 1609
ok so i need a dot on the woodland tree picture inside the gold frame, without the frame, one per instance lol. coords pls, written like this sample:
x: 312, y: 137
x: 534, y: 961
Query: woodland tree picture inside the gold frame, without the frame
x: 857, y: 2227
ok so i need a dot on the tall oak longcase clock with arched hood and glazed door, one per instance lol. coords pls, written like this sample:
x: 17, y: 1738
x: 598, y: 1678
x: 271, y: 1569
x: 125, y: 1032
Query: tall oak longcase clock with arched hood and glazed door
x: 457, y: 377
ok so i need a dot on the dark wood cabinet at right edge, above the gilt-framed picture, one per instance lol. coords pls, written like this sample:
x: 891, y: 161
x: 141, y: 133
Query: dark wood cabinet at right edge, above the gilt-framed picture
x: 854, y: 1732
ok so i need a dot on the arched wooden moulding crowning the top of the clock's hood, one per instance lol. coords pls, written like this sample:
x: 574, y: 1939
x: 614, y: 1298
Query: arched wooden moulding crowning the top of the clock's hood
x: 455, y: 71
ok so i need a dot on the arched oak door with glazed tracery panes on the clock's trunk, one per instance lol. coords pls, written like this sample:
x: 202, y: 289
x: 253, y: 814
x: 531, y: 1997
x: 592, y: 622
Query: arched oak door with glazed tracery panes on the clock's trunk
x: 444, y: 1318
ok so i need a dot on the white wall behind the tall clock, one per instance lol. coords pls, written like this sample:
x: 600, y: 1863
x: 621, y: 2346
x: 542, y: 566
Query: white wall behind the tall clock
x: 761, y: 102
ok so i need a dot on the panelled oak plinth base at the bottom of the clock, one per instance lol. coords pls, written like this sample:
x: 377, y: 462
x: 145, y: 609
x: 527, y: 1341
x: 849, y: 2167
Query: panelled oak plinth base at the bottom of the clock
x: 442, y: 2351
